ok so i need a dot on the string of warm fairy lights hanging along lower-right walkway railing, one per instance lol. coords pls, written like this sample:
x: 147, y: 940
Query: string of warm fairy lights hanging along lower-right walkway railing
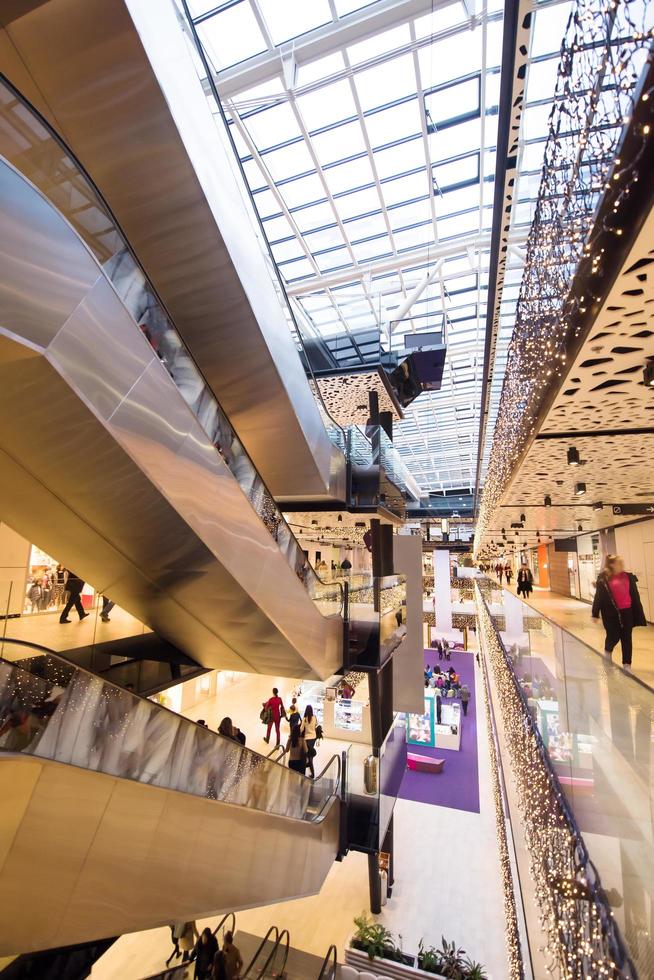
x: 582, y: 940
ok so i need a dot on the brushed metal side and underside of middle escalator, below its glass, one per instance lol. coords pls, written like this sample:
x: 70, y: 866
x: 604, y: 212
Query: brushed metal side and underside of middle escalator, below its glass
x: 197, y: 534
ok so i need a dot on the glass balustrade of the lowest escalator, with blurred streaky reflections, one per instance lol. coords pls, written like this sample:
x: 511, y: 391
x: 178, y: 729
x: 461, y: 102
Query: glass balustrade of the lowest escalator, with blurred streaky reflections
x: 52, y: 709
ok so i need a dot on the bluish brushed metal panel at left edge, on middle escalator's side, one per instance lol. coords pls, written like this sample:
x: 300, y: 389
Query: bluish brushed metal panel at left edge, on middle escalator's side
x: 37, y: 244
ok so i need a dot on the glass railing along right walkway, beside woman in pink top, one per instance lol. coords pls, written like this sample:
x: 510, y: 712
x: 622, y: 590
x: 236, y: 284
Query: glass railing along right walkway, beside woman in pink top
x: 594, y: 725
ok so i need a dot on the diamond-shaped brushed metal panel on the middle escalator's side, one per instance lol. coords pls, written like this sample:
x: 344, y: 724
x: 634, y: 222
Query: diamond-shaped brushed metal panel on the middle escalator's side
x: 98, y: 350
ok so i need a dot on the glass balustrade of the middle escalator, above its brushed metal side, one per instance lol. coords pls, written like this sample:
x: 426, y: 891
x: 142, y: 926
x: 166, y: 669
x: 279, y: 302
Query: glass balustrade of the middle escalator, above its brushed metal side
x: 29, y: 144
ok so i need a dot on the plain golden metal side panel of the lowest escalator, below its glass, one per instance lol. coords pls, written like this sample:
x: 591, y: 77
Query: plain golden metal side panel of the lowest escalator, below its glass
x: 91, y: 855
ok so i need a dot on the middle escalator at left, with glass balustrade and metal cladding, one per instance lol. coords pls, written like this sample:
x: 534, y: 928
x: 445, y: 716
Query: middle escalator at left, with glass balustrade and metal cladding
x: 138, y: 481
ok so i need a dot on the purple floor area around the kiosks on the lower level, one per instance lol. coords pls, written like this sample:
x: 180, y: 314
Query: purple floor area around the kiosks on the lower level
x: 458, y: 785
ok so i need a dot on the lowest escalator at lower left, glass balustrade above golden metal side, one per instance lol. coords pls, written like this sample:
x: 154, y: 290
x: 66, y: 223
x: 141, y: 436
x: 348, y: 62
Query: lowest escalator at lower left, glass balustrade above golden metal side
x: 119, y: 815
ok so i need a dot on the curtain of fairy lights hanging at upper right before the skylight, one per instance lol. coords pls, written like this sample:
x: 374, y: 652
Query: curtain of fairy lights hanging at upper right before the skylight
x: 606, y: 49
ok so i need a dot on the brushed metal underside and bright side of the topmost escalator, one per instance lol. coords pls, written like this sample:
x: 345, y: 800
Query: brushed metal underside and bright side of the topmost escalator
x: 182, y: 212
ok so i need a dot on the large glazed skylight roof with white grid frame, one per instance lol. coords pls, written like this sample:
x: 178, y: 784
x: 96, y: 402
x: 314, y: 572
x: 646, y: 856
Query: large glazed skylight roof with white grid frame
x: 359, y: 199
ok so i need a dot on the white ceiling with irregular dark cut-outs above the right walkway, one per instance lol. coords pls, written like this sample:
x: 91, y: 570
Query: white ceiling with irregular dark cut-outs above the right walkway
x: 602, y: 394
